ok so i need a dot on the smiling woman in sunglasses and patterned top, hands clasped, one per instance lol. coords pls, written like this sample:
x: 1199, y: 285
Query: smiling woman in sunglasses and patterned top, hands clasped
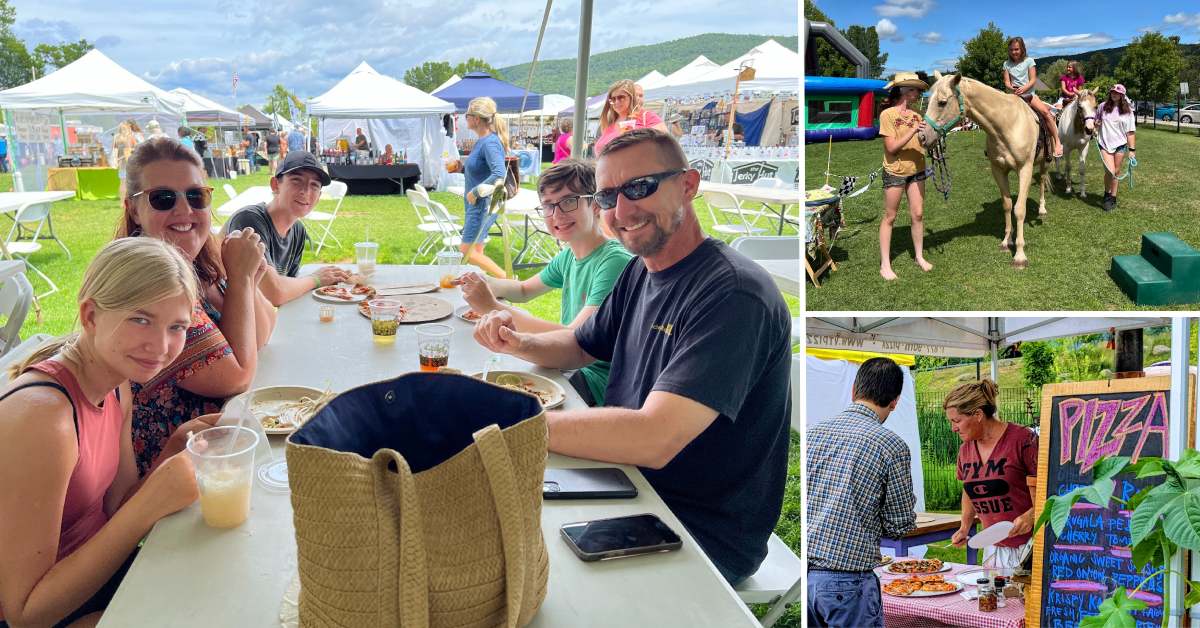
x: 169, y: 199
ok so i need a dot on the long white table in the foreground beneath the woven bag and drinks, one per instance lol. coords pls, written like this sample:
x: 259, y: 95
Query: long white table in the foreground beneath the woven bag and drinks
x: 189, y: 575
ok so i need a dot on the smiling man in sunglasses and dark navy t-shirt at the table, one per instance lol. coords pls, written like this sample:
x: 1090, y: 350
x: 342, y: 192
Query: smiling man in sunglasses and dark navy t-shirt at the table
x: 699, y: 339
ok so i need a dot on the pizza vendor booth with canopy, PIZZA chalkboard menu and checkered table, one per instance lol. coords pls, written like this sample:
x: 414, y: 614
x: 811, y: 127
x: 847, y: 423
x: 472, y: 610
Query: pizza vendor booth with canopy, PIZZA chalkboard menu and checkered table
x: 1153, y: 414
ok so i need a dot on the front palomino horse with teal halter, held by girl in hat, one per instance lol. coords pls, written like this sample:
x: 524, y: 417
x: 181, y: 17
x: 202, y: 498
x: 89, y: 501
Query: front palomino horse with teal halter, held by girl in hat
x: 1012, y: 129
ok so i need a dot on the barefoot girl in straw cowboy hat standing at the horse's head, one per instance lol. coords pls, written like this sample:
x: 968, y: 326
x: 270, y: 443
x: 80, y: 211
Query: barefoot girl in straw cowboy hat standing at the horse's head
x: 904, y: 169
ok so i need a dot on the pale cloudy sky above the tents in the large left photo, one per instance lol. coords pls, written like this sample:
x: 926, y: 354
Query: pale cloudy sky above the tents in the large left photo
x: 310, y: 45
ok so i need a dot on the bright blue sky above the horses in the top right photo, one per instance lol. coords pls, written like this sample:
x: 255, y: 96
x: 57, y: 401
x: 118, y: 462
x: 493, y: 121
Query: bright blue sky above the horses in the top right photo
x: 929, y: 34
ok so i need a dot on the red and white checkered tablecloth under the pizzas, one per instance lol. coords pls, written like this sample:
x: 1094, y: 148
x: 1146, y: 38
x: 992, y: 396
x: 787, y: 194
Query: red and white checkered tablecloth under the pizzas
x: 947, y: 611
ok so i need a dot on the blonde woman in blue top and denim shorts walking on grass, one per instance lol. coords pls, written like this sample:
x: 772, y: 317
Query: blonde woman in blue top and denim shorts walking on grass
x: 484, y: 172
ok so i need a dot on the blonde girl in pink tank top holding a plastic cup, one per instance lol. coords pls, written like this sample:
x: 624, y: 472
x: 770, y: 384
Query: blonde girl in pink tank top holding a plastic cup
x: 71, y: 509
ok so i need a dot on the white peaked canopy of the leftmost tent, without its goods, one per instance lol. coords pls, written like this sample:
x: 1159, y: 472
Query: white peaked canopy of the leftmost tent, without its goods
x: 94, y: 91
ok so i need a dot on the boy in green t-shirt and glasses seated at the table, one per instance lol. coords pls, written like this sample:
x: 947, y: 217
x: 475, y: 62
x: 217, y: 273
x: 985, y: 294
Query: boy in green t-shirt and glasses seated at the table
x: 585, y: 271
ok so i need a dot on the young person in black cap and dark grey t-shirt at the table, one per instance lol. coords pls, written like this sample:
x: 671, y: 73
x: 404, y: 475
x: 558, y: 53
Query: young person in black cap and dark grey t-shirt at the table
x: 297, y: 187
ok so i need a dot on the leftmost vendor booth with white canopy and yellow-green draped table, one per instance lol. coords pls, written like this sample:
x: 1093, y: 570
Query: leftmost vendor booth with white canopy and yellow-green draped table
x: 87, y: 115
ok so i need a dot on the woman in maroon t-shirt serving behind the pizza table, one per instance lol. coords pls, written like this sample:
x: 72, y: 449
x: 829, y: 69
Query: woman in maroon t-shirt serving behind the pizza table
x: 995, y: 462
